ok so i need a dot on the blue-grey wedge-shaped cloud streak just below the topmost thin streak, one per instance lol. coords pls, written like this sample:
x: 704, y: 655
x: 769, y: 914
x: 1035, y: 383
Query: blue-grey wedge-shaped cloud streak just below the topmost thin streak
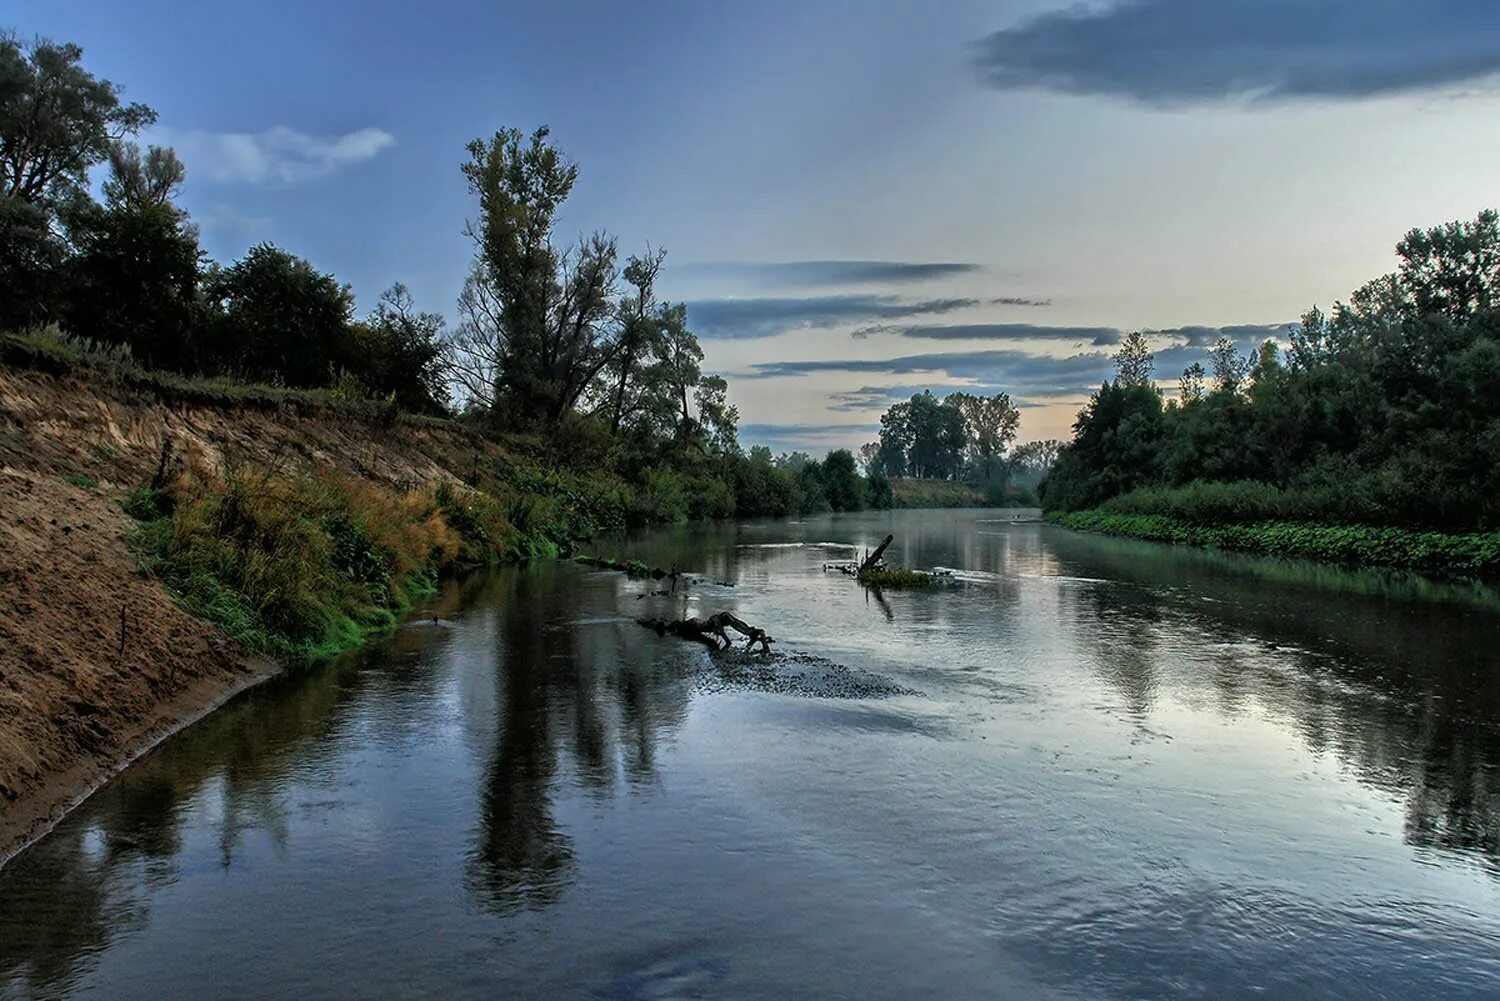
x: 745, y: 319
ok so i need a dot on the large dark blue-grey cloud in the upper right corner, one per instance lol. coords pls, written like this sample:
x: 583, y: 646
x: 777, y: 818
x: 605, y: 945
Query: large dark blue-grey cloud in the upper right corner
x: 1195, y: 52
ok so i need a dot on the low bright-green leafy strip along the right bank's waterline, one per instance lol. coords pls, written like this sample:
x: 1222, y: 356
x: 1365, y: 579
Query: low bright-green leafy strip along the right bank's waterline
x: 1433, y: 553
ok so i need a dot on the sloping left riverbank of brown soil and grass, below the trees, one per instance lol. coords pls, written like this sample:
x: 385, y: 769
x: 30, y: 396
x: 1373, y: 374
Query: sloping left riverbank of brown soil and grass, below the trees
x: 161, y: 552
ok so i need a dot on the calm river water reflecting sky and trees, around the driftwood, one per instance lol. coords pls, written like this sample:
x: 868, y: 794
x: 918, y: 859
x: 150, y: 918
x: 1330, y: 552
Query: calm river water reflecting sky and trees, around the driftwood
x: 1087, y: 769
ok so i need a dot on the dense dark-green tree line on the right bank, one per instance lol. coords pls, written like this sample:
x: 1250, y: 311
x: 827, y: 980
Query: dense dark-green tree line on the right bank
x: 1382, y: 412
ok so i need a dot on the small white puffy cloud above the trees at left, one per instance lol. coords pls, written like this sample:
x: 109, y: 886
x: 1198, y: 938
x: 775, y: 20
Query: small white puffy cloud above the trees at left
x: 275, y: 157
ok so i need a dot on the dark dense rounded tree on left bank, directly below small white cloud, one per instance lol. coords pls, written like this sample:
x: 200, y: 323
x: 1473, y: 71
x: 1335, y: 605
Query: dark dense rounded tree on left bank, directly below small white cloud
x: 277, y: 317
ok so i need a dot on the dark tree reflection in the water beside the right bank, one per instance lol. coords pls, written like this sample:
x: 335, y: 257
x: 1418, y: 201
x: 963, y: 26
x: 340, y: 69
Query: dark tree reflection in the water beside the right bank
x: 1403, y: 693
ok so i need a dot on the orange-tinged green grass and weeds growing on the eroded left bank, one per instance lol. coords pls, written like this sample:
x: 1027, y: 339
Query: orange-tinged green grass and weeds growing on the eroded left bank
x: 308, y: 567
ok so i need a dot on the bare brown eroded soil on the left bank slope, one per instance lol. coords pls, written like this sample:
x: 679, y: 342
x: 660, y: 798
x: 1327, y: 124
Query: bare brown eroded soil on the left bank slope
x: 97, y: 661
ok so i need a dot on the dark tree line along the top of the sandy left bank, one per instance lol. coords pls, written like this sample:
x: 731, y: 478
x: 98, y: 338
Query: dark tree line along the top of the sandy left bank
x: 563, y: 347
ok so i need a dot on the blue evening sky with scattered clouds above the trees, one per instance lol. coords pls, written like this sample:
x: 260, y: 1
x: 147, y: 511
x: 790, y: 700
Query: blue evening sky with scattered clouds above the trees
x: 859, y: 200
